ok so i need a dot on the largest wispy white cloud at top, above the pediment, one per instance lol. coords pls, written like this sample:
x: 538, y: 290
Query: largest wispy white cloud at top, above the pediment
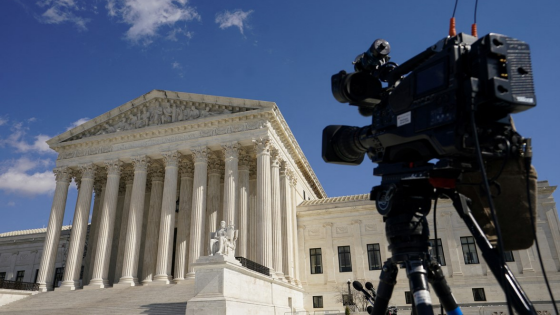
x: 147, y: 17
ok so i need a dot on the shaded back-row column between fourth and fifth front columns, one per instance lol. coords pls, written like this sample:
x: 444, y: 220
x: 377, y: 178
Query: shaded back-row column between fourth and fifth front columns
x: 152, y: 229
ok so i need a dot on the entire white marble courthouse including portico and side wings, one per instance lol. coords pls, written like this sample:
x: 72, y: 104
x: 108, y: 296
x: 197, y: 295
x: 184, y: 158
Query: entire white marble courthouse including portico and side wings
x: 158, y: 174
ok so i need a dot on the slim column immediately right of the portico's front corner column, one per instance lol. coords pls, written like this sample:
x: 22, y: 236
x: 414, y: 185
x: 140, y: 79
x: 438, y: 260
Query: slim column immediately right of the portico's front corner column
x: 276, y: 213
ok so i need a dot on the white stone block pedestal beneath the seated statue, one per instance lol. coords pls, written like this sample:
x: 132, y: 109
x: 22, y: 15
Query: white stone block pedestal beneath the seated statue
x: 223, y: 286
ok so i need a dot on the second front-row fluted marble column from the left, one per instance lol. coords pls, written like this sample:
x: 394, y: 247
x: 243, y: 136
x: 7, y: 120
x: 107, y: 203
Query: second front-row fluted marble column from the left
x: 79, y: 229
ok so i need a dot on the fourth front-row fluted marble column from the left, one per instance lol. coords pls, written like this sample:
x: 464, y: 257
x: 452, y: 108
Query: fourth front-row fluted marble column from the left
x: 134, y: 228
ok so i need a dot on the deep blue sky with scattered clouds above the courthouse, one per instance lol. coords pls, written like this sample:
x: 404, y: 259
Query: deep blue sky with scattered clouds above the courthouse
x: 66, y: 61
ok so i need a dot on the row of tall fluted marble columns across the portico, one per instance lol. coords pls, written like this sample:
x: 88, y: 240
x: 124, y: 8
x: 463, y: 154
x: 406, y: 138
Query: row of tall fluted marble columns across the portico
x: 263, y: 209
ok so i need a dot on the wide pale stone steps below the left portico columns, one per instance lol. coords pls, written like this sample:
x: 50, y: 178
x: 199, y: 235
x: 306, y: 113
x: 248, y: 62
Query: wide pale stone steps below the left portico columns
x: 169, y: 299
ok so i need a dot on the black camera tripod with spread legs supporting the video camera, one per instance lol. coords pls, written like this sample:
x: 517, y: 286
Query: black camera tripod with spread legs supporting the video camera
x: 404, y: 199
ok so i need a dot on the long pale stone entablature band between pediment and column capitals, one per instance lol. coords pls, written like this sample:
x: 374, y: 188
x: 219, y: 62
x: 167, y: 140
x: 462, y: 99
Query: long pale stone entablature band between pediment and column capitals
x: 201, y: 133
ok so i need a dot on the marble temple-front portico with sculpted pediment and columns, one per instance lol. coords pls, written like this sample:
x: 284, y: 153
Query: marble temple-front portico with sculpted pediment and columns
x: 205, y: 158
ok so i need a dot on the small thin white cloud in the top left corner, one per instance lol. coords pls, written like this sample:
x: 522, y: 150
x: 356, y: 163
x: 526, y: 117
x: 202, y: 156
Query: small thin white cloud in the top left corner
x: 61, y: 11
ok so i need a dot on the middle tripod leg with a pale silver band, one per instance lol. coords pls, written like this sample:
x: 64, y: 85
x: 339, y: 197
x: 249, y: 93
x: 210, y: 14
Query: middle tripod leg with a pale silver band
x: 418, y: 279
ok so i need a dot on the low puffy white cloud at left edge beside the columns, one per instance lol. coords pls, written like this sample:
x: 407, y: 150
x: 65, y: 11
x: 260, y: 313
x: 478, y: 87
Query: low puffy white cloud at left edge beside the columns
x: 17, y: 178
